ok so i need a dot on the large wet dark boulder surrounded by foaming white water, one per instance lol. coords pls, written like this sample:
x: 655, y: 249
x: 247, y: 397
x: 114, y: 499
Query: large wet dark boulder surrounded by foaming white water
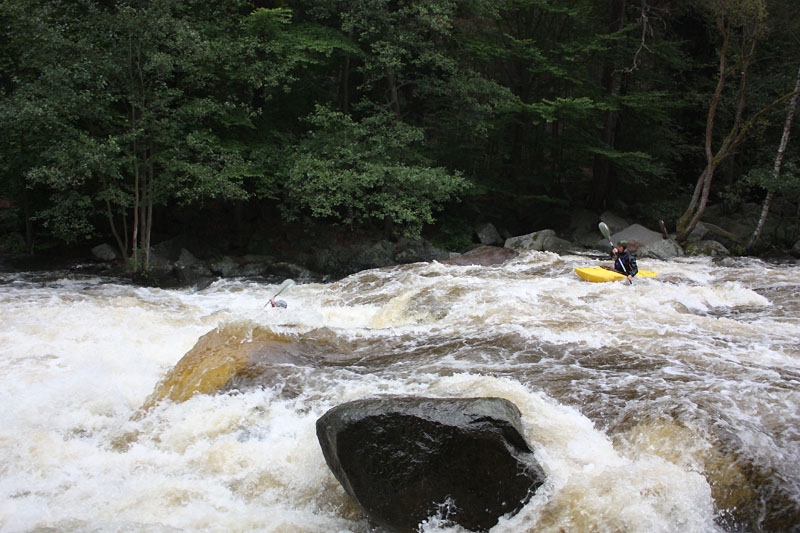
x: 406, y: 459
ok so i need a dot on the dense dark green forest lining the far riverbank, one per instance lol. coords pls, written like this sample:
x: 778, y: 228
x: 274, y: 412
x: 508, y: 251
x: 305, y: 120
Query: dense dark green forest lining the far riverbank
x: 129, y: 120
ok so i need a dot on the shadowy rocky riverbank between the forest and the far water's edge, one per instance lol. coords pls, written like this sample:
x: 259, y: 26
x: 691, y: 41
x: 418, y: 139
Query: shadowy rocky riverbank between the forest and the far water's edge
x: 323, y: 253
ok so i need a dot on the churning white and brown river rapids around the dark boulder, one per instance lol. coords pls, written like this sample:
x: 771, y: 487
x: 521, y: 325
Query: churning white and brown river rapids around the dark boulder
x: 668, y: 405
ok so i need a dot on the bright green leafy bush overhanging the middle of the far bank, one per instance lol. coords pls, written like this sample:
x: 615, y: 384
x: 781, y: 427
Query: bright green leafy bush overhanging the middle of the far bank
x: 357, y: 172
